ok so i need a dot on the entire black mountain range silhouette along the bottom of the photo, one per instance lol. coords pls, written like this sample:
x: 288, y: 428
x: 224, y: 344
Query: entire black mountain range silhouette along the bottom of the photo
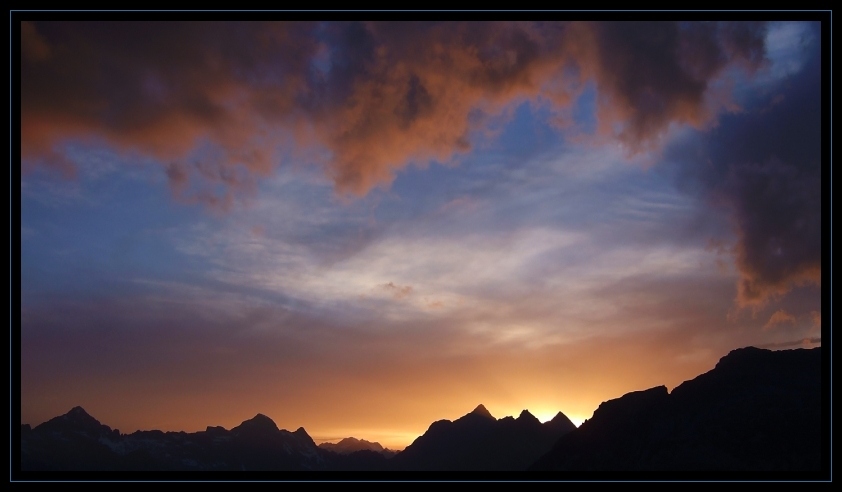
x: 757, y: 410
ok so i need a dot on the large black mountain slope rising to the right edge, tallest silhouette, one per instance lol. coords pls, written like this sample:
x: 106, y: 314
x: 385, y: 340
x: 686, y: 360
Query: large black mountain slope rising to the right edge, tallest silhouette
x: 757, y: 410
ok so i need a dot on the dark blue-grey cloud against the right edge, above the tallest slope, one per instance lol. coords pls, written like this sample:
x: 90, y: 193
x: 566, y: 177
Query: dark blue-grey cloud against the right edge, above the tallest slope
x: 765, y: 167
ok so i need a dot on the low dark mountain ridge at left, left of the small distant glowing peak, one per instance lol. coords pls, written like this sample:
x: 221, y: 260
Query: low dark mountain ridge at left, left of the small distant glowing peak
x: 77, y: 441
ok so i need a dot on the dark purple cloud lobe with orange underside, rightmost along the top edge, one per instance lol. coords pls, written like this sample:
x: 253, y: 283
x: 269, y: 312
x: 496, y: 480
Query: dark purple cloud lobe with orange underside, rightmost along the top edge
x: 653, y: 74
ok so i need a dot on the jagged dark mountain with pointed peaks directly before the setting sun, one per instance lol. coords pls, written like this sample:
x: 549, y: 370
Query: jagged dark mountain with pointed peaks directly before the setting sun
x: 479, y: 442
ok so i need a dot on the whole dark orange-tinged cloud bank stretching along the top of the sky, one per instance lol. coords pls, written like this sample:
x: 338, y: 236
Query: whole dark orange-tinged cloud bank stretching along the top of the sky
x: 223, y: 103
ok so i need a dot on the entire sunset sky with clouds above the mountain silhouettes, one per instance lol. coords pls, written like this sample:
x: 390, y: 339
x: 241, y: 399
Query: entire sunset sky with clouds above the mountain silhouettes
x: 364, y: 227
